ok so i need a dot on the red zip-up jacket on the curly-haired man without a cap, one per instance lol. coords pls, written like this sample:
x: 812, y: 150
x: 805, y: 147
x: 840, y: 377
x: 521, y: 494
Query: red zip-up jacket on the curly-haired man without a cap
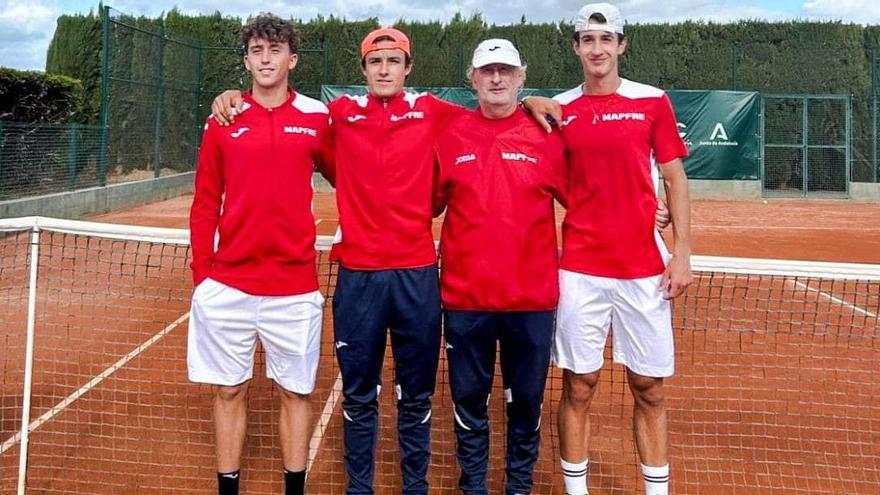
x: 254, y: 188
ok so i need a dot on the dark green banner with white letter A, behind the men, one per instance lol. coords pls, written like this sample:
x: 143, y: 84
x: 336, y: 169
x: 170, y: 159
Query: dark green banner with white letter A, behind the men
x: 721, y: 128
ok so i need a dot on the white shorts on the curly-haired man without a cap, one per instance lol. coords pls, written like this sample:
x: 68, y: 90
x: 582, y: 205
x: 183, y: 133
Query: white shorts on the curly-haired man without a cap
x: 224, y: 325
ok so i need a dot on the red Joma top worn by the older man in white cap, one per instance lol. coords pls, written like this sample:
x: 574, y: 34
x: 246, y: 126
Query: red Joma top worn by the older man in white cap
x: 498, y: 179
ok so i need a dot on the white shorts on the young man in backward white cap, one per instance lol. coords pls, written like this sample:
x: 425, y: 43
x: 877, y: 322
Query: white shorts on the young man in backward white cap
x: 641, y: 317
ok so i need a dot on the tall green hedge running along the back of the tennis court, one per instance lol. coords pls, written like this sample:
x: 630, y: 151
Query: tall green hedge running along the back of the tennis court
x: 787, y: 57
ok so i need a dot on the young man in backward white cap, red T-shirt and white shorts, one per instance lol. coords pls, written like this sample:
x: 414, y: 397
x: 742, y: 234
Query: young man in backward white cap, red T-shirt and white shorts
x: 615, y: 270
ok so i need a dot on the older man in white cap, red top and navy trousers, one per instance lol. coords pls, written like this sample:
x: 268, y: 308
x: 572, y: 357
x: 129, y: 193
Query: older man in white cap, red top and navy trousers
x: 499, y: 173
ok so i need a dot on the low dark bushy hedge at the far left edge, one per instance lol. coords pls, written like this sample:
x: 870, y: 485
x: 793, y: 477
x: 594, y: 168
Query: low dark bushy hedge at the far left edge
x: 37, y: 97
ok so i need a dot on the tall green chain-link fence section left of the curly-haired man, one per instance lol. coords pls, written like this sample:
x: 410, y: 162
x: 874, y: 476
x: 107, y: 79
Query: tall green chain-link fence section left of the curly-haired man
x: 151, y: 85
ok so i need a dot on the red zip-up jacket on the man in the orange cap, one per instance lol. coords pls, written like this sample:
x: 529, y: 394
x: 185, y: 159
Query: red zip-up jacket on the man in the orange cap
x: 379, y: 156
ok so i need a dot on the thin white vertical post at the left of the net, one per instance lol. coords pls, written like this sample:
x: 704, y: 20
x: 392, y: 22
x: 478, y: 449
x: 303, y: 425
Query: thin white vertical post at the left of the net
x: 29, y: 361
